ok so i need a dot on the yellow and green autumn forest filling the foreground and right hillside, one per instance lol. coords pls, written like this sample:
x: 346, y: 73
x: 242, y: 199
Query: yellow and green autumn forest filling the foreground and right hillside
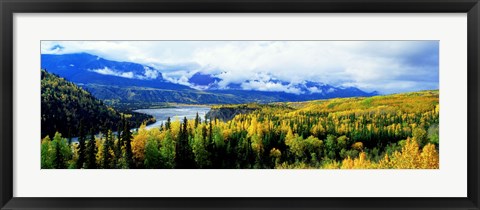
x: 393, y: 131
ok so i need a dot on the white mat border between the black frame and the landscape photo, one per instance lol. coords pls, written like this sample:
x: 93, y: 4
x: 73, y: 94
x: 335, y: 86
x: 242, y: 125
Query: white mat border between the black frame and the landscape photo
x: 448, y: 181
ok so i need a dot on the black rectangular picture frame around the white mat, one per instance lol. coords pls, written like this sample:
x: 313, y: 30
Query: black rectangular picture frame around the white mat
x: 10, y: 7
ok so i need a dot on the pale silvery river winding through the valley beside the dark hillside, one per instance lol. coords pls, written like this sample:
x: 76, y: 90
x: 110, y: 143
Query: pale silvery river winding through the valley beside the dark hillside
x: 178, y: 112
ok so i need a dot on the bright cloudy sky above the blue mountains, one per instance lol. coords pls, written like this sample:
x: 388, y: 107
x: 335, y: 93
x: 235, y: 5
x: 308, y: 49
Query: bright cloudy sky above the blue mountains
x: 383, y: 66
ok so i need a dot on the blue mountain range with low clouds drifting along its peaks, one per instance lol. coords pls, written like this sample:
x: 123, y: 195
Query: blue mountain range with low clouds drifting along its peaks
x: 133, y: 82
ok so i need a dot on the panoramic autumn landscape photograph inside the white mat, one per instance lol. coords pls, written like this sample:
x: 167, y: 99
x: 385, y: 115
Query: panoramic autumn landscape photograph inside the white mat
x: 239, y: 105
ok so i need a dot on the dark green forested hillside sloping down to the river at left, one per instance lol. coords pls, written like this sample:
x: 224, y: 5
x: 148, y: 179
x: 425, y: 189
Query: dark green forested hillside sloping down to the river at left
x: 65, y: 107
